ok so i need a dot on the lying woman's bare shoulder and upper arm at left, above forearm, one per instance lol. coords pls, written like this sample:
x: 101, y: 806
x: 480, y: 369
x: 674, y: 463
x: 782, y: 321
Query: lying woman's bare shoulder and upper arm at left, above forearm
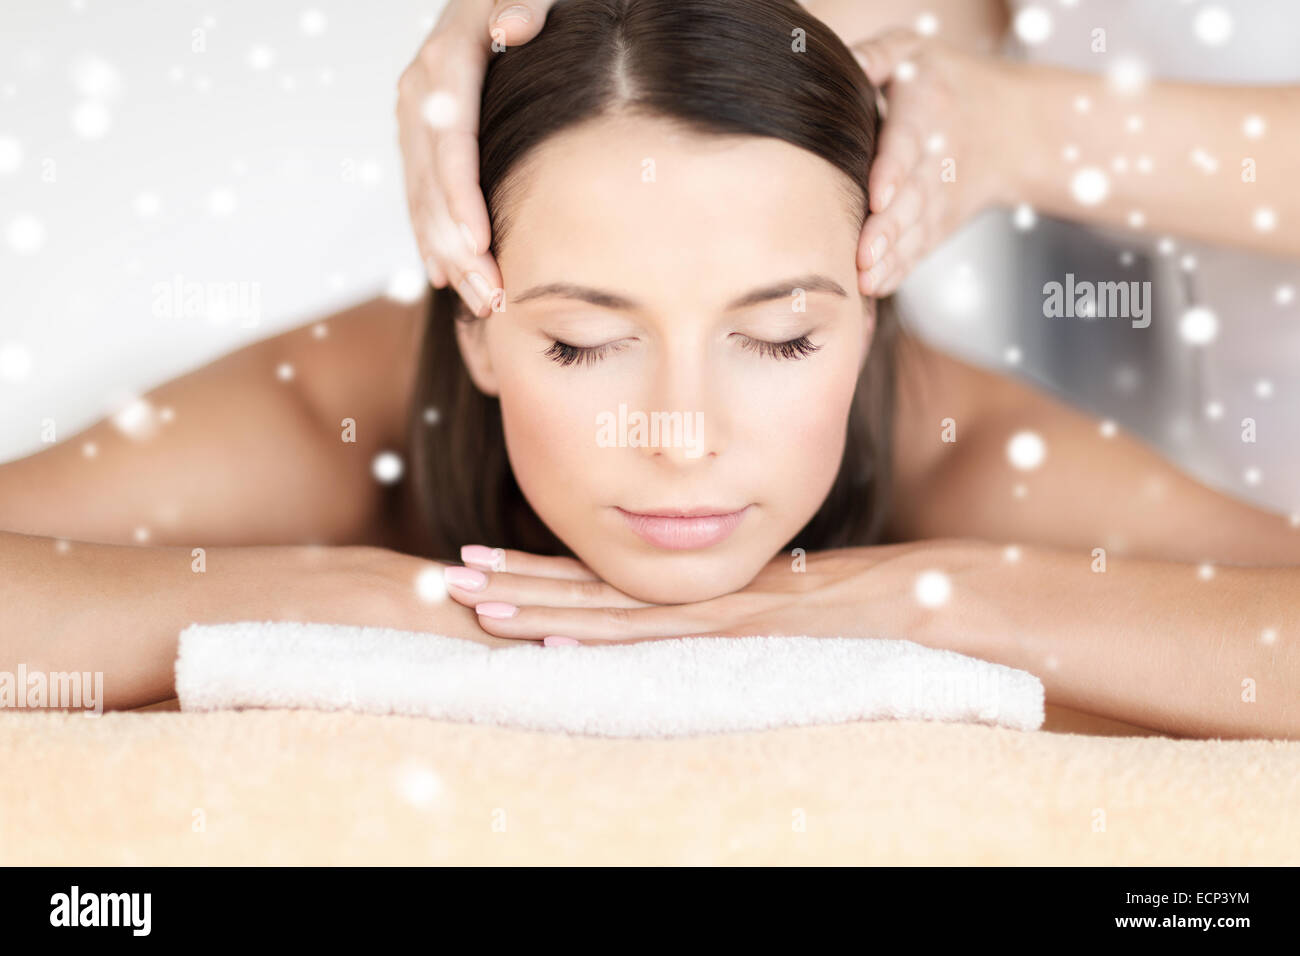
x: 246, y: 451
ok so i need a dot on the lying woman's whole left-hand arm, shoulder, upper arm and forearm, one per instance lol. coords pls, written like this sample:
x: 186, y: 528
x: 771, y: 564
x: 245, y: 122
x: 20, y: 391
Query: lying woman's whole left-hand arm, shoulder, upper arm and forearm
x: 248, y: 456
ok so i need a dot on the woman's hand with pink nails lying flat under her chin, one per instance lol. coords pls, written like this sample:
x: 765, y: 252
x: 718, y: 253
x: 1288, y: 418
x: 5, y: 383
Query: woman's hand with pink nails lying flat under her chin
x: 834, y: 594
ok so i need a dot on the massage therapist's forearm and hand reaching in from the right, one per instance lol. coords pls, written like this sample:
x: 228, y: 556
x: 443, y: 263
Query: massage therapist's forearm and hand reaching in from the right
x: 967, y: 132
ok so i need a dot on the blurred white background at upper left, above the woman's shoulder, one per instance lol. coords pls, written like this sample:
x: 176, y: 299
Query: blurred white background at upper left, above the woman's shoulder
x: 227, y: 142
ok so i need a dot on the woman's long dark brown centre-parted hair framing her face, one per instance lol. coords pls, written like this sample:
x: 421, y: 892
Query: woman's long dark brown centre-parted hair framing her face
x: 717, y: 67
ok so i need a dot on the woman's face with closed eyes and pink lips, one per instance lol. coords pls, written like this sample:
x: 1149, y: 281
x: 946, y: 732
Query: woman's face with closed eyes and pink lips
x: 664, y: 263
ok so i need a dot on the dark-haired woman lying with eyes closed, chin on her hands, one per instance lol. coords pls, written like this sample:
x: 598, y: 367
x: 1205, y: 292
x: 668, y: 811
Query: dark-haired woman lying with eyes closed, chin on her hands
x: 682, y: 418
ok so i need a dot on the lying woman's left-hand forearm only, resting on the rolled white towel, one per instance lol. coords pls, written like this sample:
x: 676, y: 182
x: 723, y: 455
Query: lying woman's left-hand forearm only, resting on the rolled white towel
x: 68, y: 607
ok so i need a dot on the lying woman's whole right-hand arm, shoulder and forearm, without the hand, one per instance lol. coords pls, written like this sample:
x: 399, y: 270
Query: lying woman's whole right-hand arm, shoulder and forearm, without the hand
x: 1107, y: 572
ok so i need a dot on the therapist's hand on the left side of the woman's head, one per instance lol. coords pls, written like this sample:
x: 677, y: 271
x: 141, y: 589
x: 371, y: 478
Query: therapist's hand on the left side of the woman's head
x: 439, y: 100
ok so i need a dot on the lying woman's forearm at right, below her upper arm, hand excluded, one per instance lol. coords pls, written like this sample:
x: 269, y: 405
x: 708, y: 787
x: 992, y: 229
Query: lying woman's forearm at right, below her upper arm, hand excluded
x: 1182, y: 648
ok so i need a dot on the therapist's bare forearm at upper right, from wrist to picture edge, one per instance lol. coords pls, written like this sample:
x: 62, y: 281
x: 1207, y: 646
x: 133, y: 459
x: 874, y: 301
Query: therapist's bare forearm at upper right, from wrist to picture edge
x: 1211, y: 163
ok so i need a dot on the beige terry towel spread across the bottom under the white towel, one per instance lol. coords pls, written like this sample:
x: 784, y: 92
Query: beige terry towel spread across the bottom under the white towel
x: 309, y: 788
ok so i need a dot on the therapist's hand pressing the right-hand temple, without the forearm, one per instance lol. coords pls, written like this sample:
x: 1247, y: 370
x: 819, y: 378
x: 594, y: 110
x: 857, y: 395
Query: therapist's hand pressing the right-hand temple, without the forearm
x: 937, y: 163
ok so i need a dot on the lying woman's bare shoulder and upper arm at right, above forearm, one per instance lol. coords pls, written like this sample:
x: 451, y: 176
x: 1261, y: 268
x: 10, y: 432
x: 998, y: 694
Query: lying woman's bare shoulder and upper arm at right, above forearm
x: 1089, y: 486
